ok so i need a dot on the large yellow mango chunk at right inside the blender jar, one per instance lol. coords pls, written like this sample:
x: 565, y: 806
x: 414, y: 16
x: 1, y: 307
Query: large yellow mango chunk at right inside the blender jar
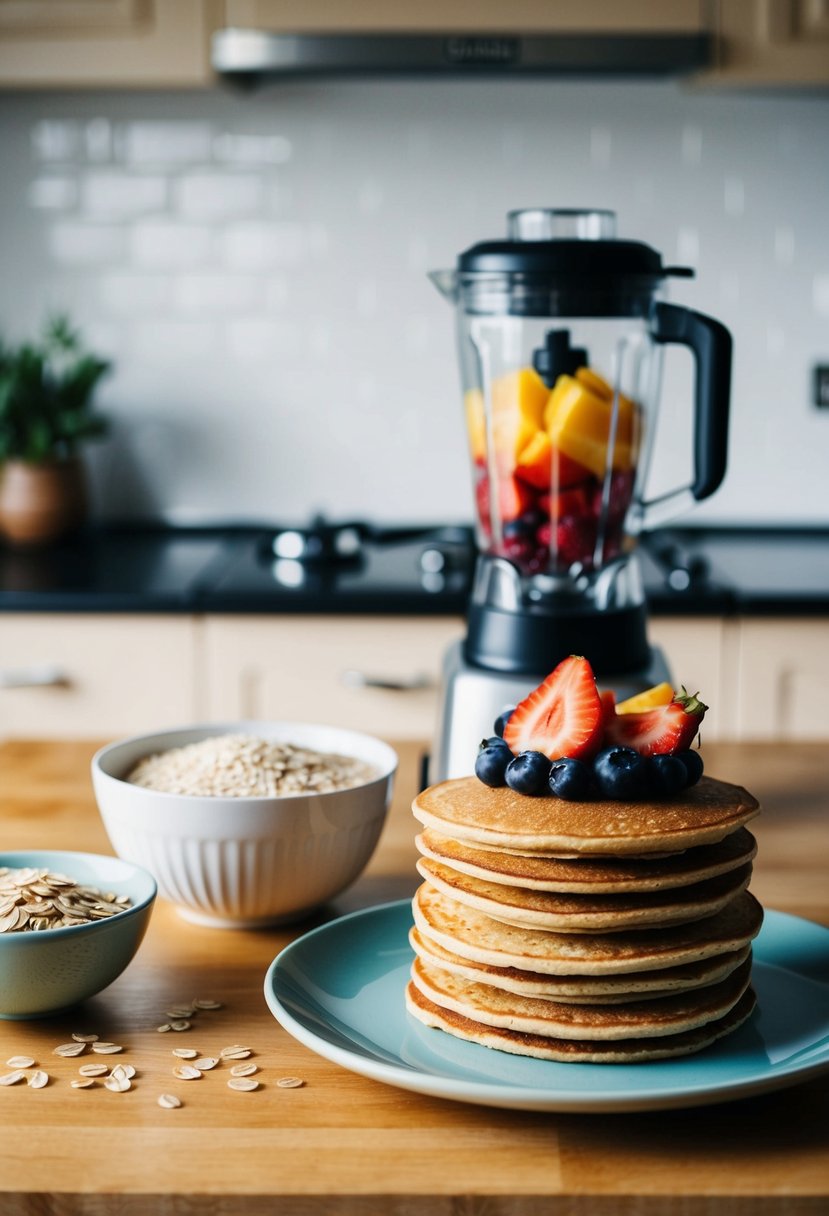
x: 579, y: 425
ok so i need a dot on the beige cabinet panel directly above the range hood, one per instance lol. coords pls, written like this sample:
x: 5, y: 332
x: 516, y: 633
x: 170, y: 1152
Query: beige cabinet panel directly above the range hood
x: 458, y: 16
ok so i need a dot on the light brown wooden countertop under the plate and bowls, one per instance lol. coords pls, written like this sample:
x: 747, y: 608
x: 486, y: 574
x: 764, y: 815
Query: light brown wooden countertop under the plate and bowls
x: 342, y: 1144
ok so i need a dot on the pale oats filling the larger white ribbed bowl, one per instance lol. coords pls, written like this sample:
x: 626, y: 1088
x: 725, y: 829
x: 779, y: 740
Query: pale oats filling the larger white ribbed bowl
x: 247, y: 767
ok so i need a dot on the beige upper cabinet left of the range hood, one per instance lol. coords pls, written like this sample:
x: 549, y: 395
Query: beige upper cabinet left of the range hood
x: 106, y: 43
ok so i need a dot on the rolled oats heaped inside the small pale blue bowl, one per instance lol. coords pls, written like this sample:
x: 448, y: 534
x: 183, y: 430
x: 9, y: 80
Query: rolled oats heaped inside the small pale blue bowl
x: 33, y: 899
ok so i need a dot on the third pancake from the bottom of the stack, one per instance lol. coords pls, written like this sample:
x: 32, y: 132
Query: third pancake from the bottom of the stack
x: 595, y: 989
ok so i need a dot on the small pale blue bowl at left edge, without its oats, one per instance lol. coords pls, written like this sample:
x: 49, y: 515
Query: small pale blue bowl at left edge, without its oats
x: 52, y: 970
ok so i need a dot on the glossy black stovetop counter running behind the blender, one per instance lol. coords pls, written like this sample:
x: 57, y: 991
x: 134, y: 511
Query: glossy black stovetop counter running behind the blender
x: 419, y: 571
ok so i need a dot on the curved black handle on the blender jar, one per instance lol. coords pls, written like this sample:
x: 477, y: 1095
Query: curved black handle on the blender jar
x: 712, y: 346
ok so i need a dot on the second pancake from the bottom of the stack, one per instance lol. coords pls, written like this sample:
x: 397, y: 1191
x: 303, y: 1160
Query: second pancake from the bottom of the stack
x: 535, y: 1016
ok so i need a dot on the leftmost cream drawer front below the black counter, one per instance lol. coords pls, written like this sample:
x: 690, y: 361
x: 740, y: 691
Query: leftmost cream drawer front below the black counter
x: 94, y: 677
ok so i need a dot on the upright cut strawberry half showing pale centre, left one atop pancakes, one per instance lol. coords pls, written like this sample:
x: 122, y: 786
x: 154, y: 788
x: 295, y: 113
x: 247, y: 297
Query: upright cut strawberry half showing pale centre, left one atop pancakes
x: 562, y: 717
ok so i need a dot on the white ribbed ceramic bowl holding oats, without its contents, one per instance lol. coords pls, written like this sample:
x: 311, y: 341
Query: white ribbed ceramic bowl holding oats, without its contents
x: 246, y: 862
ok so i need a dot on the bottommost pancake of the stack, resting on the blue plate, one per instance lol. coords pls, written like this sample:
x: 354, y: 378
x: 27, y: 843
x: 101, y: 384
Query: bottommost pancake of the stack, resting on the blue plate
x: 627, y: 1051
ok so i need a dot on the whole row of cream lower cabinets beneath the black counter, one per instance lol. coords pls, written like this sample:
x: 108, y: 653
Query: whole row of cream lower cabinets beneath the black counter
x: 84, y: 675
